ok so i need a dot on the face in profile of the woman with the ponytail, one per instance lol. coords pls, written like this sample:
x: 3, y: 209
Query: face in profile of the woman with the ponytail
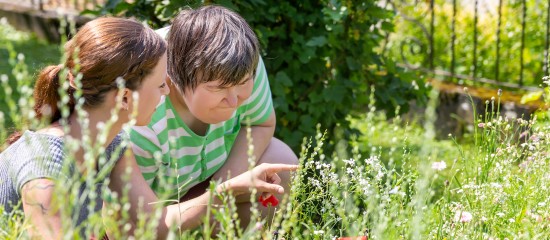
x: 152, y: 89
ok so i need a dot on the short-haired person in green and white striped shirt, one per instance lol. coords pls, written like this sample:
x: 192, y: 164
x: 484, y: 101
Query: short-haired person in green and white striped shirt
x: 218, y: 83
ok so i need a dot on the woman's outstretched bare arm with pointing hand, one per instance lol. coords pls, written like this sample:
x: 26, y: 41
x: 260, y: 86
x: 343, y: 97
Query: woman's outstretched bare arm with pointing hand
x: 188, y: 214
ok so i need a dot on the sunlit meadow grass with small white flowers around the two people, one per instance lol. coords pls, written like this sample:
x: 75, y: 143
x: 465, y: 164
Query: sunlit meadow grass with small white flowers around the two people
x: 393, y: 181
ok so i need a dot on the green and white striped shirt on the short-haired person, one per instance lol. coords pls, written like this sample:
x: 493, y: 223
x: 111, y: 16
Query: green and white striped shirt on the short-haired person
x: 172, y: 157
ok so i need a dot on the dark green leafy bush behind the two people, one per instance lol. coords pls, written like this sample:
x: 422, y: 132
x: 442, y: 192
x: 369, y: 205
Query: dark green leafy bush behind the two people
x: 321, y: 56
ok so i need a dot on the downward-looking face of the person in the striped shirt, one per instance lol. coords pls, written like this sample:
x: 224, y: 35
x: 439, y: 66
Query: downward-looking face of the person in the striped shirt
x: 211, y: 103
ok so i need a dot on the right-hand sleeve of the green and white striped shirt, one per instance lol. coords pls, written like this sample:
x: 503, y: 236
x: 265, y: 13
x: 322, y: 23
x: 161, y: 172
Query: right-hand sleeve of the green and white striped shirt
x: 259, y: 105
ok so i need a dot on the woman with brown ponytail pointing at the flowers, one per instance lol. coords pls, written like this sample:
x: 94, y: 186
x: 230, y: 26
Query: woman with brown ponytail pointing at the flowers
x: 36, y: 166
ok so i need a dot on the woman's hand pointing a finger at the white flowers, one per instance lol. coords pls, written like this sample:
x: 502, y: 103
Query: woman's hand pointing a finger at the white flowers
x: 263, y: 177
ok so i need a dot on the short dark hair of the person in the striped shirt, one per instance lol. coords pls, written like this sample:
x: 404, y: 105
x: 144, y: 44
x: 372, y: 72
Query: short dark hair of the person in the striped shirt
x: 208, y: 44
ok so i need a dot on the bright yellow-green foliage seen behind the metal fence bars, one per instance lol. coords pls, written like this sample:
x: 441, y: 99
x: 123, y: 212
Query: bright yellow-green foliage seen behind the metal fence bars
x: 411, y: 42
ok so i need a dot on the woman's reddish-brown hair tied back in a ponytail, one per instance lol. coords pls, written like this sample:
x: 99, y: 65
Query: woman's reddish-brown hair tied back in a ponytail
x: 103, y: 50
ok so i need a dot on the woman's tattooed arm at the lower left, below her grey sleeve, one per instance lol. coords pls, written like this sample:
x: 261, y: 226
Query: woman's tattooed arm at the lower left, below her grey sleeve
x: 44, y: 217
